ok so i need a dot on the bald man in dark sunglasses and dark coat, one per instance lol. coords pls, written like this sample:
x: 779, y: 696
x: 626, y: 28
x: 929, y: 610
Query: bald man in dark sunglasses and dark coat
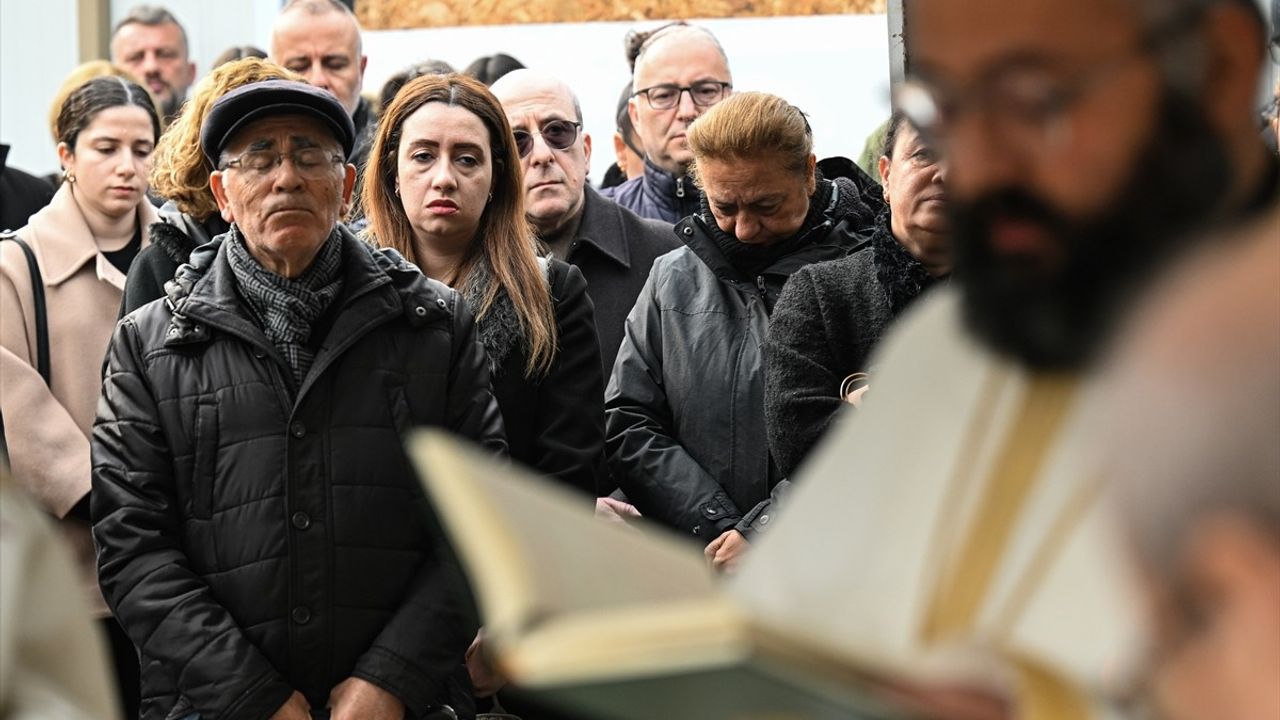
x: 611, y: 245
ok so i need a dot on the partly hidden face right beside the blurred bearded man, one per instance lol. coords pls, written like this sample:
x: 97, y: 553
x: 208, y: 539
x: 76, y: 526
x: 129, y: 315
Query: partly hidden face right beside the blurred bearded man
x: 913, y: 183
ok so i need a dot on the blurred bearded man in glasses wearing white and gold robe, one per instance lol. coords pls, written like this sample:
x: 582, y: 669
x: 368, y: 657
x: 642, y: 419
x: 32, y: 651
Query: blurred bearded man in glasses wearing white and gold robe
x: 1089, y: 142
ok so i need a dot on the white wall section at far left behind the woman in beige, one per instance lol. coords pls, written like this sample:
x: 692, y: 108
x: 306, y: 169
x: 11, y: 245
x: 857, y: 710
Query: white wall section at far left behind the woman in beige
x: 39, y: 45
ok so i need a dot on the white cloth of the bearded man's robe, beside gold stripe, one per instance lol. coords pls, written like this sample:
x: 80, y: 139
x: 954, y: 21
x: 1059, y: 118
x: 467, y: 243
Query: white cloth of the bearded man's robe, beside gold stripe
x: 886, y: 500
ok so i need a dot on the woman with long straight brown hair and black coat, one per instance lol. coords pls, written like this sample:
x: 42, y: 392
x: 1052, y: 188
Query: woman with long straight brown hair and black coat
x: 444, y: 186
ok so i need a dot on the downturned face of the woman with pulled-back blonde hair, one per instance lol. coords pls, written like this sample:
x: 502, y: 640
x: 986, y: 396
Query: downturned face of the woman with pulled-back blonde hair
x: 757, y: 200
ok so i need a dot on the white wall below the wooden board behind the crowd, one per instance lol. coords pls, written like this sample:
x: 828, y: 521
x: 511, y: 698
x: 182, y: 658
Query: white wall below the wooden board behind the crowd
x: 835, y: 67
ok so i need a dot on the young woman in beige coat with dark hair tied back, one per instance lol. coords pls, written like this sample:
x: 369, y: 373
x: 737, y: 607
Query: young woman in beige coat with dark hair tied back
x: 84, y: 243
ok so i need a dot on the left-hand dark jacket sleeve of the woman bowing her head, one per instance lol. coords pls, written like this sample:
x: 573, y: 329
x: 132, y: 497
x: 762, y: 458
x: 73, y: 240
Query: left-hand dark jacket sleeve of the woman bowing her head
x: 648, y: 461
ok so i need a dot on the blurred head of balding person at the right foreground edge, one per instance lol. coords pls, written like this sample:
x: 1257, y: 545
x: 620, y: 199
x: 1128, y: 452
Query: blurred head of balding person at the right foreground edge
x: 1194, y: 432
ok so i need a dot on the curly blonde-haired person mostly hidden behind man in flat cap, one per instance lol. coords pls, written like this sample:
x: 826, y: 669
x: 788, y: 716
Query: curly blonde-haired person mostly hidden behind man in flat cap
x: 180, y: 174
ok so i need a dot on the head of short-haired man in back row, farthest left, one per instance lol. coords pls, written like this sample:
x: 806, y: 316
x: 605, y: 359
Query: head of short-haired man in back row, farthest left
x: 152, y: 44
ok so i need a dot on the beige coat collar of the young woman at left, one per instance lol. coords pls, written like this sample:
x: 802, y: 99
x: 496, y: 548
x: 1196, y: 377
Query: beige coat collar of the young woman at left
x: 66, y: 244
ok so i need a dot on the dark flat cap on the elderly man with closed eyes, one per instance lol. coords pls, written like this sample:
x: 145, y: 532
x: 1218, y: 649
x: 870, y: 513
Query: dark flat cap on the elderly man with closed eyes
x: 267, y: 99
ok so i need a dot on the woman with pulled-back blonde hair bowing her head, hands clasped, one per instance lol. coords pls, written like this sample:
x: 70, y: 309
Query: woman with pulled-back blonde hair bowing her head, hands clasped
x: 685, y: 408
